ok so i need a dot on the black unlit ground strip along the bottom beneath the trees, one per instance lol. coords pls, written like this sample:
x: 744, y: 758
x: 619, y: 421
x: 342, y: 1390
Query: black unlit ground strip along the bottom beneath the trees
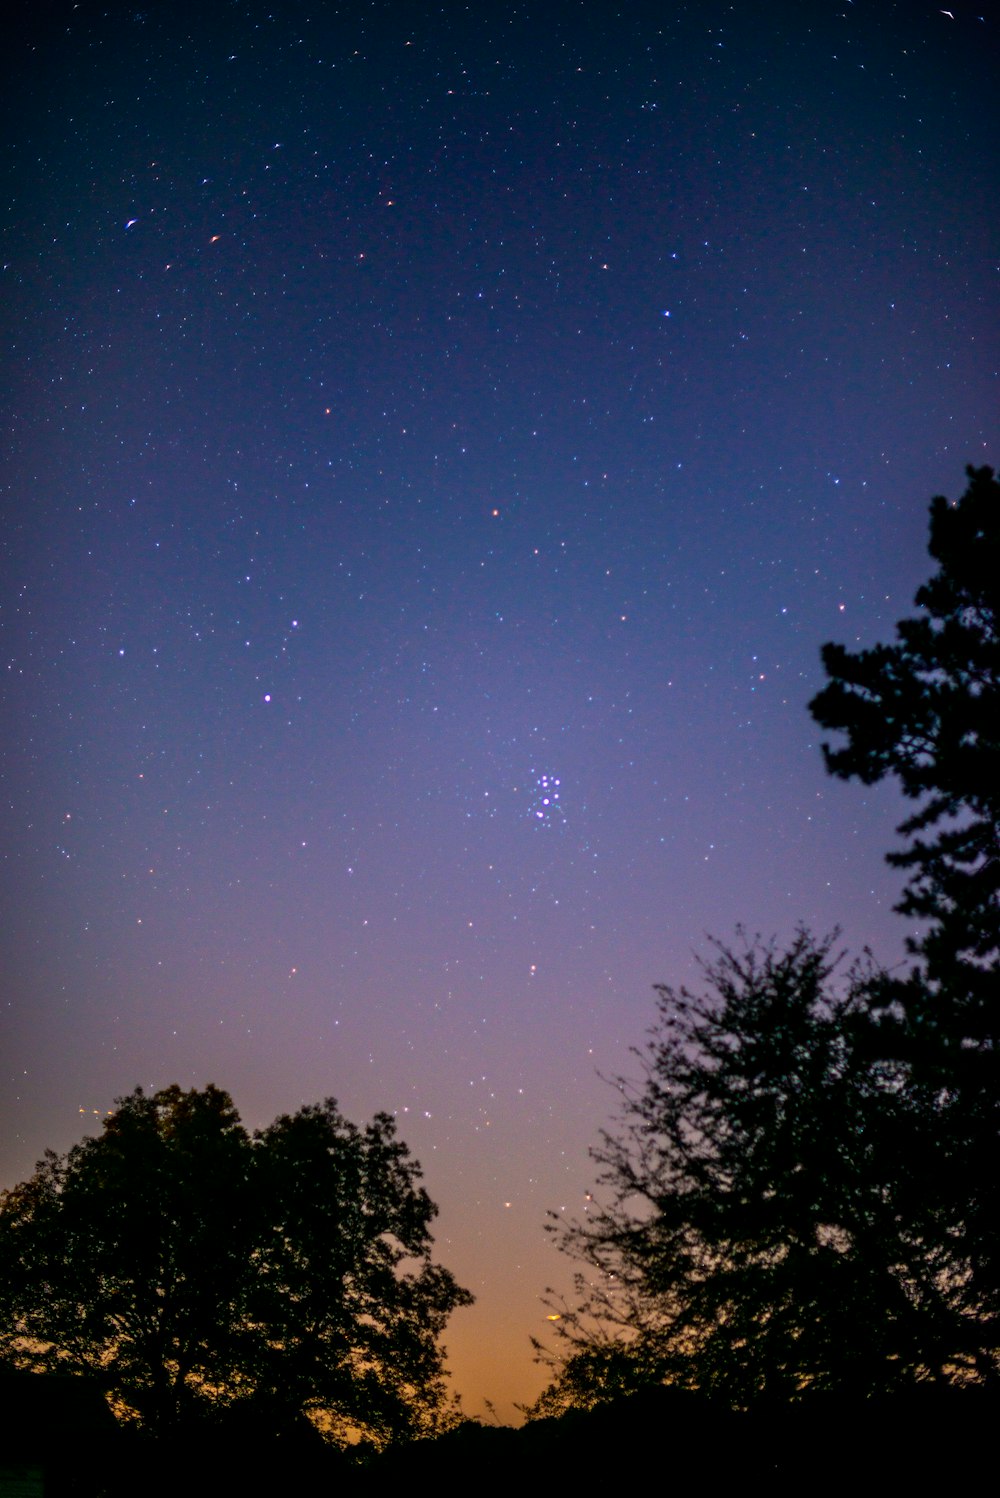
x: 927, y: 1437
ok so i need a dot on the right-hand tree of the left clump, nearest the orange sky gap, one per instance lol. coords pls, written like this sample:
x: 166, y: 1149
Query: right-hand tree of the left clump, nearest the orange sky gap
x: 350, y: 1331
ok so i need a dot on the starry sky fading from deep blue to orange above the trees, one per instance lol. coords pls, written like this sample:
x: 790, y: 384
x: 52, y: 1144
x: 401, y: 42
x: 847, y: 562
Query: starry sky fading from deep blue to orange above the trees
x: 438, y: 441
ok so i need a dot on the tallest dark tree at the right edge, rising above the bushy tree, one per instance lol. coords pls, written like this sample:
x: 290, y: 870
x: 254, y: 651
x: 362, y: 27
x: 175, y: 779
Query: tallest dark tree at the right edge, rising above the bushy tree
x: 926, y: 711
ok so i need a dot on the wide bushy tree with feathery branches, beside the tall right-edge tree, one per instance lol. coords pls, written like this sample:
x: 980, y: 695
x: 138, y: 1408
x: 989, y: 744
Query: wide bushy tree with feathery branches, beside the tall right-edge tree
x: 751, y: 1240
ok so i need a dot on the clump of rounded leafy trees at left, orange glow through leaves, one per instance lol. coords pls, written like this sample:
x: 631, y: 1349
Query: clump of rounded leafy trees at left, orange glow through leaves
x: 197, y: 1270
